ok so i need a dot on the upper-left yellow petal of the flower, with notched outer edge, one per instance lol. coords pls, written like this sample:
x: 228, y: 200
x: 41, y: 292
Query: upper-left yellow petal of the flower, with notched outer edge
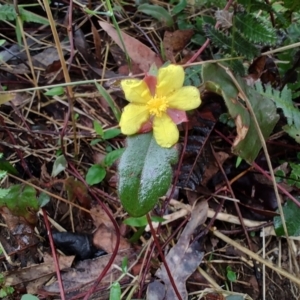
x: 136, y: 91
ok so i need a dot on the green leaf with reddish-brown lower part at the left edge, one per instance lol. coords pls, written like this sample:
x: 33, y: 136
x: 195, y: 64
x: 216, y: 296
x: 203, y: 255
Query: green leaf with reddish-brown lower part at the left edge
x: 21, y: 201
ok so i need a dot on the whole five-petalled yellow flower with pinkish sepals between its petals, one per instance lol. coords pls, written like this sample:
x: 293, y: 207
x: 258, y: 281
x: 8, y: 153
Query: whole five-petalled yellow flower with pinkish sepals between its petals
x: 157, y: 100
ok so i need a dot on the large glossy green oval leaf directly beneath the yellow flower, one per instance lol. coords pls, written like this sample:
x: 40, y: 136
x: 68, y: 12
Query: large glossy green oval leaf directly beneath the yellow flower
x: 145, y: 173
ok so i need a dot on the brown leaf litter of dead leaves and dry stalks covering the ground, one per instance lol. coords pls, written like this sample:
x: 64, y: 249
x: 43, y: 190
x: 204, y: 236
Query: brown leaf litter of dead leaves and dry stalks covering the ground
x: 34, y: 131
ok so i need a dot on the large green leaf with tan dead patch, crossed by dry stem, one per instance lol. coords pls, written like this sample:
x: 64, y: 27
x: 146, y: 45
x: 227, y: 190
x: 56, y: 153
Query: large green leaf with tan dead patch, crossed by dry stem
x: 247, y: 144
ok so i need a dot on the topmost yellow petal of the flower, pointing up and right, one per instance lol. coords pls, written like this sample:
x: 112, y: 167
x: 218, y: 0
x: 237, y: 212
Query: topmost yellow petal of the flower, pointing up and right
x: 169, y: 79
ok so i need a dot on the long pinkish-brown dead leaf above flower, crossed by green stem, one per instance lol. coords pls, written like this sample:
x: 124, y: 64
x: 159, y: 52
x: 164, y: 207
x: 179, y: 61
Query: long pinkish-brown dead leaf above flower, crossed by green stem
x: 142, y: 55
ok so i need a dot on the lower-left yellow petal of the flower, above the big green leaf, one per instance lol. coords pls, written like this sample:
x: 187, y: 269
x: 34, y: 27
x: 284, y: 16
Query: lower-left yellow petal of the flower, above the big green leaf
x: 133, y: 117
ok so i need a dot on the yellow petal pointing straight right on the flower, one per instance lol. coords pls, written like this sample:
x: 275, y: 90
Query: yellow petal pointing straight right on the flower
x: 186, y: 98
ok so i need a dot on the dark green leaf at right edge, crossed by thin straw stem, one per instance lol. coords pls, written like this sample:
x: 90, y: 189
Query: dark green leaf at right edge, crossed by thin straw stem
x: 291, y: 214
